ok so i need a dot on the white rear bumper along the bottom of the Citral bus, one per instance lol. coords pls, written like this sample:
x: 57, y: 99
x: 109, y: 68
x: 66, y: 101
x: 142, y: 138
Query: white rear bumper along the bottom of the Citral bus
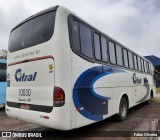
x: 59, y: 118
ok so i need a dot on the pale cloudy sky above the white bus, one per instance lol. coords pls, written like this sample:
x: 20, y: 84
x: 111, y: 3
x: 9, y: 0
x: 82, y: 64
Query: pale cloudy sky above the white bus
x: 133, y: 23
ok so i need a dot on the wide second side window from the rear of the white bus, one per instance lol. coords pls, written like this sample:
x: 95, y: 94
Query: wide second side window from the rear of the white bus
x: 86, y: 41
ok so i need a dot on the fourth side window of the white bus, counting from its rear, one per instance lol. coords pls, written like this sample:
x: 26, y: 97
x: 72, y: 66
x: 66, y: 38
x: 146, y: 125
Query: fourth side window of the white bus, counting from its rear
x: 104, y: 49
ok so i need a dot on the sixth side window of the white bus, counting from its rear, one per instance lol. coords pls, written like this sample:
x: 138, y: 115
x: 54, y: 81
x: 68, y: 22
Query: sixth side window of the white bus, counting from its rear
x: 119, y: 55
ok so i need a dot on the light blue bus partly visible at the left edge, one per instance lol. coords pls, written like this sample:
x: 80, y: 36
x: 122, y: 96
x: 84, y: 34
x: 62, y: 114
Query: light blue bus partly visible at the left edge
x: 2, y: 82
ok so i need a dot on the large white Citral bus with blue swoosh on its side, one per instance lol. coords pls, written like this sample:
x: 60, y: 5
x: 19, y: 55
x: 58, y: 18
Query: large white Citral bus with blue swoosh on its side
x: 64, y: 73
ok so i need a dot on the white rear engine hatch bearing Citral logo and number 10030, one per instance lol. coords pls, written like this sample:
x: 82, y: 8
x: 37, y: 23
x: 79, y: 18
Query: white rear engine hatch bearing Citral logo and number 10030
x: 31, y: 83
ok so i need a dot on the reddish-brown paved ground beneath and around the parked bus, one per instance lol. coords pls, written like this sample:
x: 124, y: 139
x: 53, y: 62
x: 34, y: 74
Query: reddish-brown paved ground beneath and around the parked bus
x: 144, y: 117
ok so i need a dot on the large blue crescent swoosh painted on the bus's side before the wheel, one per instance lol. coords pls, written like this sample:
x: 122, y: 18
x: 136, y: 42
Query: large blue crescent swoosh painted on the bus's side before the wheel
x: 87, y: 102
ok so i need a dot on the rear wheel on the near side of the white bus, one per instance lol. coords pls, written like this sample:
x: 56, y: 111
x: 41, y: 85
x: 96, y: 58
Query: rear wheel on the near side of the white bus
x: 123, y: 110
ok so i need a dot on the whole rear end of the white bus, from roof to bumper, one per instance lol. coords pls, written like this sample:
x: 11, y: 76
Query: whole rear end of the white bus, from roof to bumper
x: 32, y: 94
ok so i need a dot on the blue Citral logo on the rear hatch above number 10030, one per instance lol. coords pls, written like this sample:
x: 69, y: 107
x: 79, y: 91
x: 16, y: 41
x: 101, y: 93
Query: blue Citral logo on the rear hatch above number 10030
x: 19, y: 76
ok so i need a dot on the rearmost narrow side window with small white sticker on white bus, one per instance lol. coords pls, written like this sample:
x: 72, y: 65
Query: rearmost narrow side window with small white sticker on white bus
x: 75, y: 35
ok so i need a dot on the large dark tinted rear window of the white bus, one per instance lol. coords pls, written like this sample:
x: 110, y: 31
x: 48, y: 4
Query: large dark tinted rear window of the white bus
x: 33, y: 32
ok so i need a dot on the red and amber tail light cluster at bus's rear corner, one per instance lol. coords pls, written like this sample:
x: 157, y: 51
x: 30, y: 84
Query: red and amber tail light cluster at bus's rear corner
x: 59, y: 97
